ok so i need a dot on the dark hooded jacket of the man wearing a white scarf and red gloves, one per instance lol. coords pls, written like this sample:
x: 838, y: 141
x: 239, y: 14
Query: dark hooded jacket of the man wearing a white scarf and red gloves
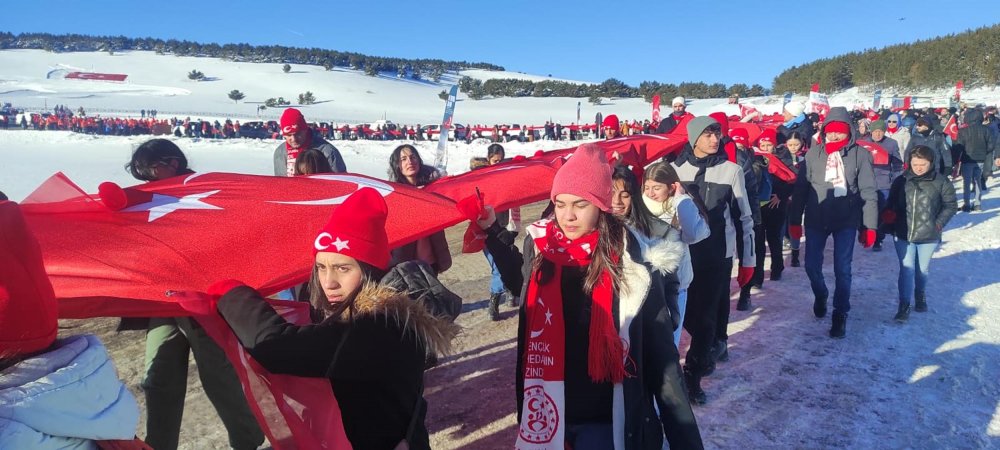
x: 813, y: 195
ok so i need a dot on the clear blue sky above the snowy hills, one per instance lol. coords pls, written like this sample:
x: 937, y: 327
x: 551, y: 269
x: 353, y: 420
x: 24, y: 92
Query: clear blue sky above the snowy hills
x: 667, y: 41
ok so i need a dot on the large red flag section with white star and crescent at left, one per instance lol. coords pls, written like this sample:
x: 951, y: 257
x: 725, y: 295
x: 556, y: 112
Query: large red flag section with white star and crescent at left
x: 186, y: 232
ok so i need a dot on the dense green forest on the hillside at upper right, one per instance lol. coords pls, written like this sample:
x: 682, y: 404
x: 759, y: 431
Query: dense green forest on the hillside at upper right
x: 972, y: 56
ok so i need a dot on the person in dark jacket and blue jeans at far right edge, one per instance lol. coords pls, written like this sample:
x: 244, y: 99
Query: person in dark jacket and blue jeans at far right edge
x: 977, y: 146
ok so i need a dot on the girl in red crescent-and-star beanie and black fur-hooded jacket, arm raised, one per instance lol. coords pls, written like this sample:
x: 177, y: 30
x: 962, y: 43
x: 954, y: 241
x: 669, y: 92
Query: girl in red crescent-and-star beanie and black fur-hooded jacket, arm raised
x: 374, y: 341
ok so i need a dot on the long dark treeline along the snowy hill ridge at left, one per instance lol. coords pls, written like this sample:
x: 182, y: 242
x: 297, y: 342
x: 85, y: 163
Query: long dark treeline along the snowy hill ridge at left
x: 372, y: 65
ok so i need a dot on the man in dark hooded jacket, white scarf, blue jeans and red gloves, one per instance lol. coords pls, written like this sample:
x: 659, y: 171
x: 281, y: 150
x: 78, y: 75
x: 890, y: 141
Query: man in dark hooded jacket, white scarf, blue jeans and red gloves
x: 835, y: 191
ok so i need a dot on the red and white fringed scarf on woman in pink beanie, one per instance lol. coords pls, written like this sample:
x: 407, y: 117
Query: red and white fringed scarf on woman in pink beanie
x: 543, y: 409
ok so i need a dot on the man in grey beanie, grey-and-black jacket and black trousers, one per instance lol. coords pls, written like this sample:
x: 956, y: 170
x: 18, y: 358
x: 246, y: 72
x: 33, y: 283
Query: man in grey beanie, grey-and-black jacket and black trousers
x: 706, y: 172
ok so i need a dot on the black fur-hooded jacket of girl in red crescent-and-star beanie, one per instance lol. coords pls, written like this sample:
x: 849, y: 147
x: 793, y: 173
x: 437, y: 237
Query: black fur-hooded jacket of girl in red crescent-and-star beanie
x: 375, y: 359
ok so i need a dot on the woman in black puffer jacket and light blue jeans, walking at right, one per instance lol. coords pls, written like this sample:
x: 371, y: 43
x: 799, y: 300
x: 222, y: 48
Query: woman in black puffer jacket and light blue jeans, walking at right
x: 920, y: 204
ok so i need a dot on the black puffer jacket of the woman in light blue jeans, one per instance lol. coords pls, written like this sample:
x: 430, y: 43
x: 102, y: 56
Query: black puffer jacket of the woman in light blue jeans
x: 922, y: 204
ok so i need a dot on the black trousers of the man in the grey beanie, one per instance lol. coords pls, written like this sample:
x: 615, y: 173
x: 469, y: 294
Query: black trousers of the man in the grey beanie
x: 701, y: 318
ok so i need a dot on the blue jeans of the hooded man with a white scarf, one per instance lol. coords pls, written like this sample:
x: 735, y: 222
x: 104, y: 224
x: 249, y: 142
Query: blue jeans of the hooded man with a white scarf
x: 843, y: 253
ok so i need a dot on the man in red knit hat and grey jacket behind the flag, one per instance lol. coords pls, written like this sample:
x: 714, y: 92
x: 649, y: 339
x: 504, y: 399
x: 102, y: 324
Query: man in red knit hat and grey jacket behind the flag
x: 299, y: 138
